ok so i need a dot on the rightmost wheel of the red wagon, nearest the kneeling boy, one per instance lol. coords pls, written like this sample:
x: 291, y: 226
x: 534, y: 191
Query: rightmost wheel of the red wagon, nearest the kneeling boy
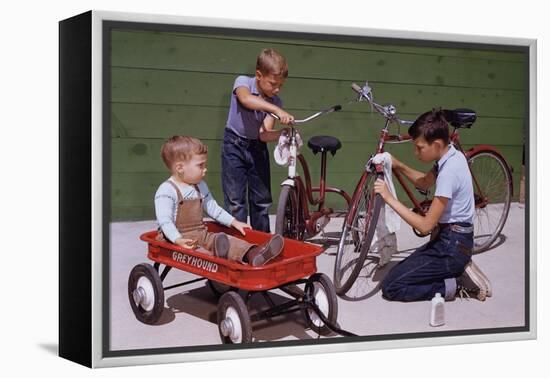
x: 322, y: 293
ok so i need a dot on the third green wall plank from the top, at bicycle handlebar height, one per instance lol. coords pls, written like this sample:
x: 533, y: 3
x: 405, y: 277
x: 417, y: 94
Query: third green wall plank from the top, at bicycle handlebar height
x: 162, y: 121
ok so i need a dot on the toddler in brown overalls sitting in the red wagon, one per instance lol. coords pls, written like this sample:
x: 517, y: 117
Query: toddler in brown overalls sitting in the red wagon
x: 182, y: 198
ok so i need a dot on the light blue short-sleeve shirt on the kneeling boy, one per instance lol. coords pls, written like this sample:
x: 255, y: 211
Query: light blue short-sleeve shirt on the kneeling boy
x: 454, y: 182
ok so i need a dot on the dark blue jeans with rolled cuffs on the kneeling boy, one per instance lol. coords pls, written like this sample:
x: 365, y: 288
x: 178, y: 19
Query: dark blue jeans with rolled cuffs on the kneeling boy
x: 431, y: 269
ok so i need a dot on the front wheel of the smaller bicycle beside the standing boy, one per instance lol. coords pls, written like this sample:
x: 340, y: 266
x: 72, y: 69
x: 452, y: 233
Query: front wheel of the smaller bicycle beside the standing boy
x: 287, y: 222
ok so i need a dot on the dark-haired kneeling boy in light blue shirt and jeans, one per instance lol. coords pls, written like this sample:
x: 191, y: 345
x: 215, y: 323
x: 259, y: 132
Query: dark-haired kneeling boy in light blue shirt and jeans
x: 444, y: 264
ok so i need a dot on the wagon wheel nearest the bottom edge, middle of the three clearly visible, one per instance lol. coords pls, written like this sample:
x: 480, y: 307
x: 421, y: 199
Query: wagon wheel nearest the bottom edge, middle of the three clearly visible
x: 233, y: 319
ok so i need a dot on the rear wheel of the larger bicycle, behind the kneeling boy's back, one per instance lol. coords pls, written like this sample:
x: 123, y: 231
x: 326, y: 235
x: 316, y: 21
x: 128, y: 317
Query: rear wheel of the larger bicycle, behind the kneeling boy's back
x: 492, y: 182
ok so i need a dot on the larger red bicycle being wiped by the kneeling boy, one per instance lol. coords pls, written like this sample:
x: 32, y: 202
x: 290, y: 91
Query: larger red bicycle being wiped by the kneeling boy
x: 491, y: 177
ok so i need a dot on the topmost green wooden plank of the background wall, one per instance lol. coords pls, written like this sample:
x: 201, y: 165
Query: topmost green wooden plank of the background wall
x: 189, y: 53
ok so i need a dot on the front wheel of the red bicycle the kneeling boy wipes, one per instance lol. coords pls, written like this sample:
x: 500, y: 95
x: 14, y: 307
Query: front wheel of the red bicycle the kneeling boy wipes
x: 357, y: 233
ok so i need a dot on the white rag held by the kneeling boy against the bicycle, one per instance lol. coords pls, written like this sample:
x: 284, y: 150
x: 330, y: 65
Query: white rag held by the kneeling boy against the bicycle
x: 384, y: 241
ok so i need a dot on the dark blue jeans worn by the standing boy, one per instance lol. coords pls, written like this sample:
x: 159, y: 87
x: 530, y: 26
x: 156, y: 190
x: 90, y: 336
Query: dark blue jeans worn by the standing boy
x: 246, y: 176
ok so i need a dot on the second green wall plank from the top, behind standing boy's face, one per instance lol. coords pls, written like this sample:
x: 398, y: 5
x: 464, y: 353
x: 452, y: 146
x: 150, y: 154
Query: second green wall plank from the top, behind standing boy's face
x: 213, y: 89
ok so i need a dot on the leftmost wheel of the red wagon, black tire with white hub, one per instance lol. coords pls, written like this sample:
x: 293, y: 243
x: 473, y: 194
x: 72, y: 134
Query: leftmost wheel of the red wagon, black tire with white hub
x: 146, y: 293
